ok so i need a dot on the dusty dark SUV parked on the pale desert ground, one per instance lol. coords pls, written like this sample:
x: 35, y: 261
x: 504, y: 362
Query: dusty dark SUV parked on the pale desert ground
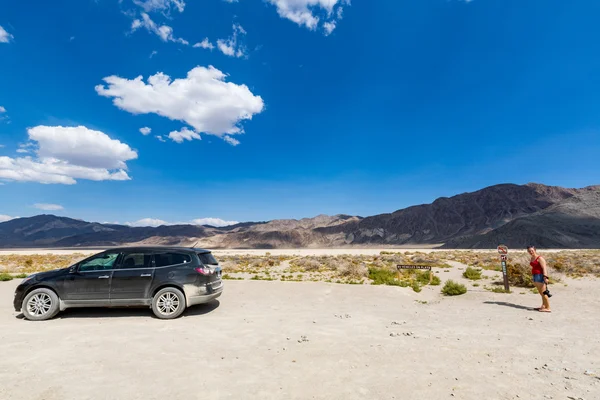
x: 167, y: 279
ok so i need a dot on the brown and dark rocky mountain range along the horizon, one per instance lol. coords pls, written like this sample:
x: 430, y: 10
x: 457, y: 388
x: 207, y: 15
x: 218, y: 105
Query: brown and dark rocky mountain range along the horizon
x: 515, y: 215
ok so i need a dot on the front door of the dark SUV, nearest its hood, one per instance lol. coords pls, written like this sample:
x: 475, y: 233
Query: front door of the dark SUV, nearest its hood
x: 90, y: 281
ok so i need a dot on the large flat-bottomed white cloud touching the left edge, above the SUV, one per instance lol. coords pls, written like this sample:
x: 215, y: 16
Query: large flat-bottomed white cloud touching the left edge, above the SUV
x: 65, y: 154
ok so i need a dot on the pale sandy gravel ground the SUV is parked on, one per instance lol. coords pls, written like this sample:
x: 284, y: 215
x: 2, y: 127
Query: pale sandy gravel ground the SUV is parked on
x: 290, y: 340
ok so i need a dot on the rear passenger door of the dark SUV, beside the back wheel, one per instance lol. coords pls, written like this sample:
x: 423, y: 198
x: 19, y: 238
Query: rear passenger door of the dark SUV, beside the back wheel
x: 132, y: 279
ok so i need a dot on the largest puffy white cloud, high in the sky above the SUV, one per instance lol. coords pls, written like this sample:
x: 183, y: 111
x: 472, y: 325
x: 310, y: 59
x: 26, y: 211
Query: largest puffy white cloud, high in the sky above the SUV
x: 204, y: 100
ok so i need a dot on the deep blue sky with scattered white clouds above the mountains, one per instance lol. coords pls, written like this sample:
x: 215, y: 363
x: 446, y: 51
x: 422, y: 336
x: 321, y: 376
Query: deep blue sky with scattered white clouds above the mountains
x: 291, y: 110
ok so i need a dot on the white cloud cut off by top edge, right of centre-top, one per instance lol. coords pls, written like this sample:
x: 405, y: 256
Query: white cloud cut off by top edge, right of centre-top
x: 312, y: 13
